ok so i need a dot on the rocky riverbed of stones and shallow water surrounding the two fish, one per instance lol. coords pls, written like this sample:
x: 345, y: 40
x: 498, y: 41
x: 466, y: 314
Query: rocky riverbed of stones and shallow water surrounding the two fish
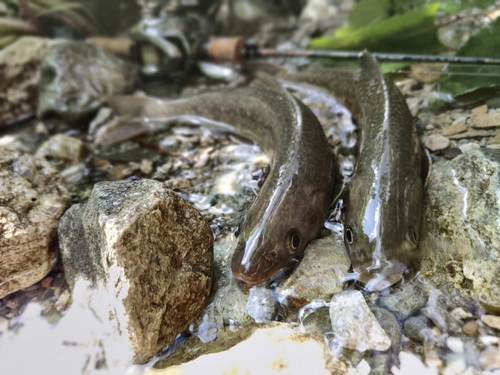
x: 144, y: 251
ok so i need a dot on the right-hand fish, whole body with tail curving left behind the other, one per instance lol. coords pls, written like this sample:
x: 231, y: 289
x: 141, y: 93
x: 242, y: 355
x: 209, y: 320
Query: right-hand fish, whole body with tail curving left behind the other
x: 384, y: 197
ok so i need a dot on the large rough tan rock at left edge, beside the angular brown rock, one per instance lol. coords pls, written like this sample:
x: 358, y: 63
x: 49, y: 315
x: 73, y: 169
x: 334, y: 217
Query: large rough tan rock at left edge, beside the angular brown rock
x: 32, y: 198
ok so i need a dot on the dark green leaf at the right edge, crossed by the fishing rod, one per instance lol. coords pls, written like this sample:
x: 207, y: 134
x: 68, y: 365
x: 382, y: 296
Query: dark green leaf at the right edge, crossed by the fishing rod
x: 462, y: 79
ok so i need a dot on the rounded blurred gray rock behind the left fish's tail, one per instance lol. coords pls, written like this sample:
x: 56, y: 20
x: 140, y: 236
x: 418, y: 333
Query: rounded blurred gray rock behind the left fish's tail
x: 76, y: 78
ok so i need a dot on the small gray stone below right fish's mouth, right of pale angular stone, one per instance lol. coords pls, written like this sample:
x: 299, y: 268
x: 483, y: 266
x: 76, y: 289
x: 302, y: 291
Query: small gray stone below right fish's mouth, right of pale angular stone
x: 406, y: 299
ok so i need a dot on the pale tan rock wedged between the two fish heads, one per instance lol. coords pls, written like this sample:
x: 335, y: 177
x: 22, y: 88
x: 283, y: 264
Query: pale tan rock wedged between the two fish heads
x: 320, y: 273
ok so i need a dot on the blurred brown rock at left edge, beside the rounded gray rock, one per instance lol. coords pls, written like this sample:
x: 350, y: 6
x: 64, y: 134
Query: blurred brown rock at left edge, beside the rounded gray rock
x: 19, y: 76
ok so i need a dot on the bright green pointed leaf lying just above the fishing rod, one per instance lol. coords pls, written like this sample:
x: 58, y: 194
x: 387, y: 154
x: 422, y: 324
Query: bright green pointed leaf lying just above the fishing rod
x: 412, y: 32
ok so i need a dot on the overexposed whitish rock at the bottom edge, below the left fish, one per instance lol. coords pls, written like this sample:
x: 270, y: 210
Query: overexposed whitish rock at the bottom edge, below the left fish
x: 274, y: 349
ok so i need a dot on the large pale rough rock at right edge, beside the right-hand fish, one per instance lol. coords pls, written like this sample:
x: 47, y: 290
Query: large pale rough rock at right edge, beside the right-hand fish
x: 461, y: 228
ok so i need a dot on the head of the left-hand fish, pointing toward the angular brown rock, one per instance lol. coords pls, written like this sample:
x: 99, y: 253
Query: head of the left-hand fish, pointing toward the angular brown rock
x: 274, y: 239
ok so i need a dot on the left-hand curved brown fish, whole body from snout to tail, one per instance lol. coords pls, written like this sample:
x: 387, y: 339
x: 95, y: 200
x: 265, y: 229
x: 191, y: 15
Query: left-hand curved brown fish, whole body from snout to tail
x: 292, y: 204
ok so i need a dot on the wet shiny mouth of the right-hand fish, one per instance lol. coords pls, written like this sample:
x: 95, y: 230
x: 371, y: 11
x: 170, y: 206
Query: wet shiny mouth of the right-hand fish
x: 382, y: 278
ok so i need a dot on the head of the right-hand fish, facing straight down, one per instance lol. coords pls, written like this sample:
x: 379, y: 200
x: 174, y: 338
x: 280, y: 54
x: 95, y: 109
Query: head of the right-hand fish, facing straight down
x: 382, y: 242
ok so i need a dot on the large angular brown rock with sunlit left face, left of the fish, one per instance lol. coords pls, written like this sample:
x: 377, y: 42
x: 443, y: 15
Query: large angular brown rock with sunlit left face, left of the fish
x: 149, y: 250
